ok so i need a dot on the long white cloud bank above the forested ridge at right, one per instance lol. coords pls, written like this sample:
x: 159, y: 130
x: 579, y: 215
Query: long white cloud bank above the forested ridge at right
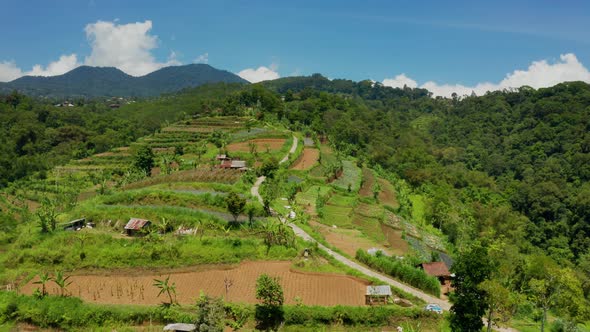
x: 539, y: 74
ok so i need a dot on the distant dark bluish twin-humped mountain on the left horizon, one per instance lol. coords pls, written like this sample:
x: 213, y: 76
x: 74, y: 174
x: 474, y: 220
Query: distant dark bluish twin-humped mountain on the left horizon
x: 88, y: 81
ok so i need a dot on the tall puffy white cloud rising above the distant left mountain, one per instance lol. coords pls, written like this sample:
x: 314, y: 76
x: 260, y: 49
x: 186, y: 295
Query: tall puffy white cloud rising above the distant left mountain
x: 125, y: 46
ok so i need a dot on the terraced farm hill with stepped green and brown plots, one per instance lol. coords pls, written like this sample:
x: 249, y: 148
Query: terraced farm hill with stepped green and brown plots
x: 173, y: 222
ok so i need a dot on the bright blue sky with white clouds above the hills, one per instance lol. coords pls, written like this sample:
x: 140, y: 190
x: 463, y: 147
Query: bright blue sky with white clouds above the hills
x: 456, y: 43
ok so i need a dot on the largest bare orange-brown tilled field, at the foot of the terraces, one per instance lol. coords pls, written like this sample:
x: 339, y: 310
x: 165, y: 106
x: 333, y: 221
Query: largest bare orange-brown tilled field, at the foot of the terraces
x: 135, y: 287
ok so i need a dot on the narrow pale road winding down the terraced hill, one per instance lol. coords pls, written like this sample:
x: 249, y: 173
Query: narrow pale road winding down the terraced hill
x: 444, y: 304
